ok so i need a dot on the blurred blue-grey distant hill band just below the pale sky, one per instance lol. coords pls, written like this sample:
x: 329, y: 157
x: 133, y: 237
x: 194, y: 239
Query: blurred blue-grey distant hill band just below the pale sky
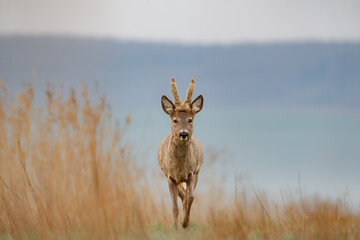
x: 136, y: 74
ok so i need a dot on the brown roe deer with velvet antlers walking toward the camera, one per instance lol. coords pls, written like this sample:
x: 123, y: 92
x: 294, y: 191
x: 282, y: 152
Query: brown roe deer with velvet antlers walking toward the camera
x: 180, y: 154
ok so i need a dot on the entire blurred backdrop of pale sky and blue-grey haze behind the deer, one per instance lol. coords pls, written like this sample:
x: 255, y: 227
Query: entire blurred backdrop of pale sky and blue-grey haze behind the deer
x: 280, y: 79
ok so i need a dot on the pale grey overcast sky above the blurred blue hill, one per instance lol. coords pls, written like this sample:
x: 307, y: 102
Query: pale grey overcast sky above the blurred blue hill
x: 186, y: 21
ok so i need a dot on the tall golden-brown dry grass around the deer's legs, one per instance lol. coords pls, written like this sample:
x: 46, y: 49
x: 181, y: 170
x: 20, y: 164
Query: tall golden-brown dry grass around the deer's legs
x: 66, y: 172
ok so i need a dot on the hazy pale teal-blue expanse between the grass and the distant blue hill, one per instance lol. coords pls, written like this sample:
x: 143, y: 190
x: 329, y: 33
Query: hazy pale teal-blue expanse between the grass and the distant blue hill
x: 270, y: 148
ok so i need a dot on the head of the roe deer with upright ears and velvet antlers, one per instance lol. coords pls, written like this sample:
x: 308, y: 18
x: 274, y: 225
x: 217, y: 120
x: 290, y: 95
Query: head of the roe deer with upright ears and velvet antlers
x: 182, y: 115
